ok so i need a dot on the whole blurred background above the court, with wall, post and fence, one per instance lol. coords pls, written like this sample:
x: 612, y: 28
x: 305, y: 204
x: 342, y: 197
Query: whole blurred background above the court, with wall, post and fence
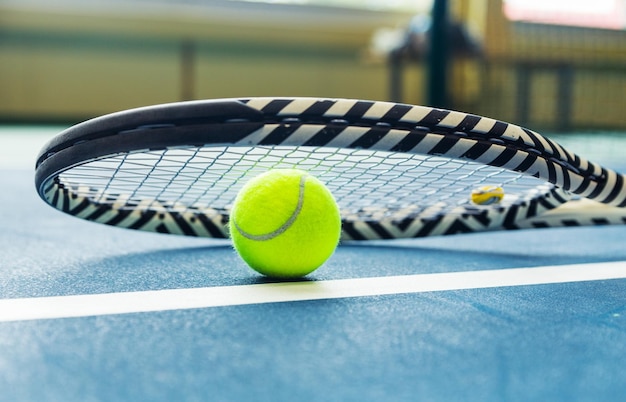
x: 553, y: 65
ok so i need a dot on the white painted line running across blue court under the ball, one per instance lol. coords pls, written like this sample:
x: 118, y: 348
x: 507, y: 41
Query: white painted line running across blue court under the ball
x: 177, y: 299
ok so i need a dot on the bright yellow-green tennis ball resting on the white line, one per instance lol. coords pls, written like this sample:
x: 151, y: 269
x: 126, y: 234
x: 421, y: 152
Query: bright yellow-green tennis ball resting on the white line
x: 285, y: 223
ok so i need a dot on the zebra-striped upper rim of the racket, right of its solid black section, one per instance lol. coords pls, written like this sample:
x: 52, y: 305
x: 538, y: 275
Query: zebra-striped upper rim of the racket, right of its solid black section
x: 420, y: 129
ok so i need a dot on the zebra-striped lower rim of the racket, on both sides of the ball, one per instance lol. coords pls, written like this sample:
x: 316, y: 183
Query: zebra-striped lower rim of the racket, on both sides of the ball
x: 203, y: 221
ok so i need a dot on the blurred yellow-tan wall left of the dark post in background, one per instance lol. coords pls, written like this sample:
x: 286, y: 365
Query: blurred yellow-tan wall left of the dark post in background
x: 67, y: 60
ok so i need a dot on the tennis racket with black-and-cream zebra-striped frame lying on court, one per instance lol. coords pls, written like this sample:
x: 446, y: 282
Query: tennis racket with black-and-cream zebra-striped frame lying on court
x: 396, y: 170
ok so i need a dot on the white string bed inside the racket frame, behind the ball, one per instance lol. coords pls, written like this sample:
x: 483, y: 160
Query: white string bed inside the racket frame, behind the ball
x: 367, y: 184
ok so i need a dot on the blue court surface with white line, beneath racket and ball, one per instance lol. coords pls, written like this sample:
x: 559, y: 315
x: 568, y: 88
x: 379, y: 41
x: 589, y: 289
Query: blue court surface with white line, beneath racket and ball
x: 94, y: 313
